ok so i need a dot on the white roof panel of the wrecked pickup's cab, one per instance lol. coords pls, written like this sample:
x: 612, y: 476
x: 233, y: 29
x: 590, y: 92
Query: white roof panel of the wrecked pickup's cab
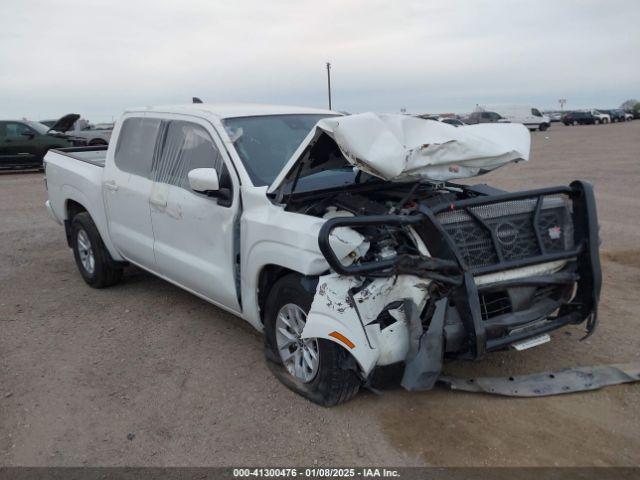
x: 230, y: 110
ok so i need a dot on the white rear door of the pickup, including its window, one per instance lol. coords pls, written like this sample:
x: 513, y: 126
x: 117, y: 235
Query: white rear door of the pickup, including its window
x: 126, y: 188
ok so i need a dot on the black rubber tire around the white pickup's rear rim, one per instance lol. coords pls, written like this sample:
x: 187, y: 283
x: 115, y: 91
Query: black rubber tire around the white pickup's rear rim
x: 105, y: 272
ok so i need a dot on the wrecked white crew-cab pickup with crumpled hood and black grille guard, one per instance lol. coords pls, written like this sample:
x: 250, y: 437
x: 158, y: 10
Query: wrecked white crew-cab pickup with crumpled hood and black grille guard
x: 341, y: 237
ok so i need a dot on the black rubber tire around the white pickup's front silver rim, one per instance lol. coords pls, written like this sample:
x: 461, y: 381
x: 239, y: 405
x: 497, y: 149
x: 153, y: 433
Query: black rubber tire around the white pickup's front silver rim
x: 336, y: 380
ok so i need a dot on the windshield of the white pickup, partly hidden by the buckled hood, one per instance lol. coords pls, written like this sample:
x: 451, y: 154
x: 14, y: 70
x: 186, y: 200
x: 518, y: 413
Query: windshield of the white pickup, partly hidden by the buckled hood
x: 265, y: 143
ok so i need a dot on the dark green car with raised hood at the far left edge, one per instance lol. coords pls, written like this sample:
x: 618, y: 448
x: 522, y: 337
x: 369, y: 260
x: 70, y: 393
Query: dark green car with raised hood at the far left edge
x: 24, y: 143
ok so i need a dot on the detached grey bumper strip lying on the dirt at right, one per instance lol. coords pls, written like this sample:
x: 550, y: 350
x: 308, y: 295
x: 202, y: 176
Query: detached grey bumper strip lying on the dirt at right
x: 569, y: 380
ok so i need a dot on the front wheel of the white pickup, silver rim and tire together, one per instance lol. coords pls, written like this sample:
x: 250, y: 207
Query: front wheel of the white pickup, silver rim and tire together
x: 317, y: 369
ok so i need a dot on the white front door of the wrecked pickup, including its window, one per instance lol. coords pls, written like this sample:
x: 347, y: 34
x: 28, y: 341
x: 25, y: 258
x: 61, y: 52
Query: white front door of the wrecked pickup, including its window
x: 194, y: 233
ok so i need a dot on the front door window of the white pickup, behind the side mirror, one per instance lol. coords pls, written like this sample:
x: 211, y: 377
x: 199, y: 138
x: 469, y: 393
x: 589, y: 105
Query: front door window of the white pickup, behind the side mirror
x: 186, y: 146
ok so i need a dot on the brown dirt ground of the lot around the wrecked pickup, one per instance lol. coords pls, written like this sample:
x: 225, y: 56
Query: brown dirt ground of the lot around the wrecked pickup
x: 146, y: 374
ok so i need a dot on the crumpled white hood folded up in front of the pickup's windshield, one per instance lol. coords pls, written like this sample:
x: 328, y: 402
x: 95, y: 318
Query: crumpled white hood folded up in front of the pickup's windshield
x: 404, y: 148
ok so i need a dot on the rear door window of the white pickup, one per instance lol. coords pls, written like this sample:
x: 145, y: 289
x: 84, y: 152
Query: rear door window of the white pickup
x: 136, y: 144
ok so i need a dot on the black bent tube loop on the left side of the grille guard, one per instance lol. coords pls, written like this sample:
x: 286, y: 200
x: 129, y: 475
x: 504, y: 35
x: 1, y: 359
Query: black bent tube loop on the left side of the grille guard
x: 445, y: 271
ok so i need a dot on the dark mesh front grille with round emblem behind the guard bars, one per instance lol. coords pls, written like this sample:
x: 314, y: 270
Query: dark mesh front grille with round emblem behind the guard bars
x: 490, y: 234
